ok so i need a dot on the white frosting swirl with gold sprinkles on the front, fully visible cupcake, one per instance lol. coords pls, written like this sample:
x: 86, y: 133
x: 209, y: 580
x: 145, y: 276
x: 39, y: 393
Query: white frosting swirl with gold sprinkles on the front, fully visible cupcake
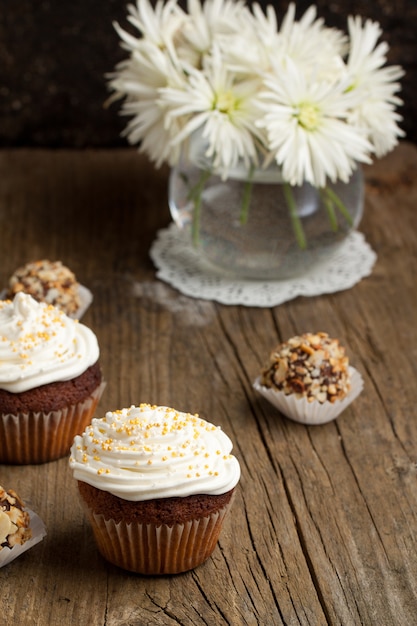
x: 147, y: 452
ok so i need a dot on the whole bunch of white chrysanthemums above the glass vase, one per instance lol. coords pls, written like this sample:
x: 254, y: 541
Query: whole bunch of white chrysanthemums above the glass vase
x: 315, y: 100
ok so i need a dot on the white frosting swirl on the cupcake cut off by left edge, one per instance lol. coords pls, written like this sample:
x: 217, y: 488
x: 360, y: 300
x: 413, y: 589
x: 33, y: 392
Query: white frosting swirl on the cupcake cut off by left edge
x: 39, y: 344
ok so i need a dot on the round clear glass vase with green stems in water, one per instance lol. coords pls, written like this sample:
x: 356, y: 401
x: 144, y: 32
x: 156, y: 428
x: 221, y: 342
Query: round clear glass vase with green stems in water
x: 259, y: 227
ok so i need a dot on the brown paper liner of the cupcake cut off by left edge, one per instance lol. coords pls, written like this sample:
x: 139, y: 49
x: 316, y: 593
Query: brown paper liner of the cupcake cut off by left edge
x: 37, y: 437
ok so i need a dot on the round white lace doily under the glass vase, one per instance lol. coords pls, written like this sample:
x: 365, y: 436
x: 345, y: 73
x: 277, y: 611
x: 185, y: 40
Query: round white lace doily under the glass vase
x: 180, y: 265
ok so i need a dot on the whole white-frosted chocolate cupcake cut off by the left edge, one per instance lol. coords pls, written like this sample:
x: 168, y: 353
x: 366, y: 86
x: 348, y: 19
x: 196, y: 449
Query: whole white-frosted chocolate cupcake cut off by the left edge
x: 50, y: 380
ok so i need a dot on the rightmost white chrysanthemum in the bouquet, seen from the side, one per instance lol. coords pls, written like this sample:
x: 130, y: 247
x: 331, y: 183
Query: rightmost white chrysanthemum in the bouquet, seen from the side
x: 375, y: 85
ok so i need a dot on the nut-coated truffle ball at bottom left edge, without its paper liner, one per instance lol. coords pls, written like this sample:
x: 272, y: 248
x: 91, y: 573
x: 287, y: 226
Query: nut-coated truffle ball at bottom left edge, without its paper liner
x: 14, y: 520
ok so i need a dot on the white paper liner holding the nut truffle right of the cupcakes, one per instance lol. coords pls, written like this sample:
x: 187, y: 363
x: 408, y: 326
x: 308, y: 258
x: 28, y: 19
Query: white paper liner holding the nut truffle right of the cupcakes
x: 311, y: 413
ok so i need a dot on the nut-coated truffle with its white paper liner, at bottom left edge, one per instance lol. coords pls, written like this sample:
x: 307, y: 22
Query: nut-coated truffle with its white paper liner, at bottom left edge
x: 20, y: 528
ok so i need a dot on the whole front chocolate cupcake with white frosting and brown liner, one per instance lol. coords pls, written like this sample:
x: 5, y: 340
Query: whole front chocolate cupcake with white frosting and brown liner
x: 156, y: 485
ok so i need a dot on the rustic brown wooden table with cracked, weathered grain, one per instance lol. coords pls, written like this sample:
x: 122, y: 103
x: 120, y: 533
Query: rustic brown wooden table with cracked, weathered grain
x: 323, y: 529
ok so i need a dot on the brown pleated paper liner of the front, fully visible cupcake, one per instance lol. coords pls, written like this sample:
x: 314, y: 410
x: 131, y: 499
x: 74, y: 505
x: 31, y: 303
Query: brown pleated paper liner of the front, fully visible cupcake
x: 157, y: 550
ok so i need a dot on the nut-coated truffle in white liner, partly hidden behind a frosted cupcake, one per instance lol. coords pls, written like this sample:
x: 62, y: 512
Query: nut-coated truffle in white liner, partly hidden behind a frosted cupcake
x: 50, y: 282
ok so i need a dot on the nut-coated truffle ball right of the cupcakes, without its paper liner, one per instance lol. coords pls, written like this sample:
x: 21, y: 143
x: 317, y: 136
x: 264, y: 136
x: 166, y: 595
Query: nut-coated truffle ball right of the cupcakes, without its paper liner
x: 311, y: 365
